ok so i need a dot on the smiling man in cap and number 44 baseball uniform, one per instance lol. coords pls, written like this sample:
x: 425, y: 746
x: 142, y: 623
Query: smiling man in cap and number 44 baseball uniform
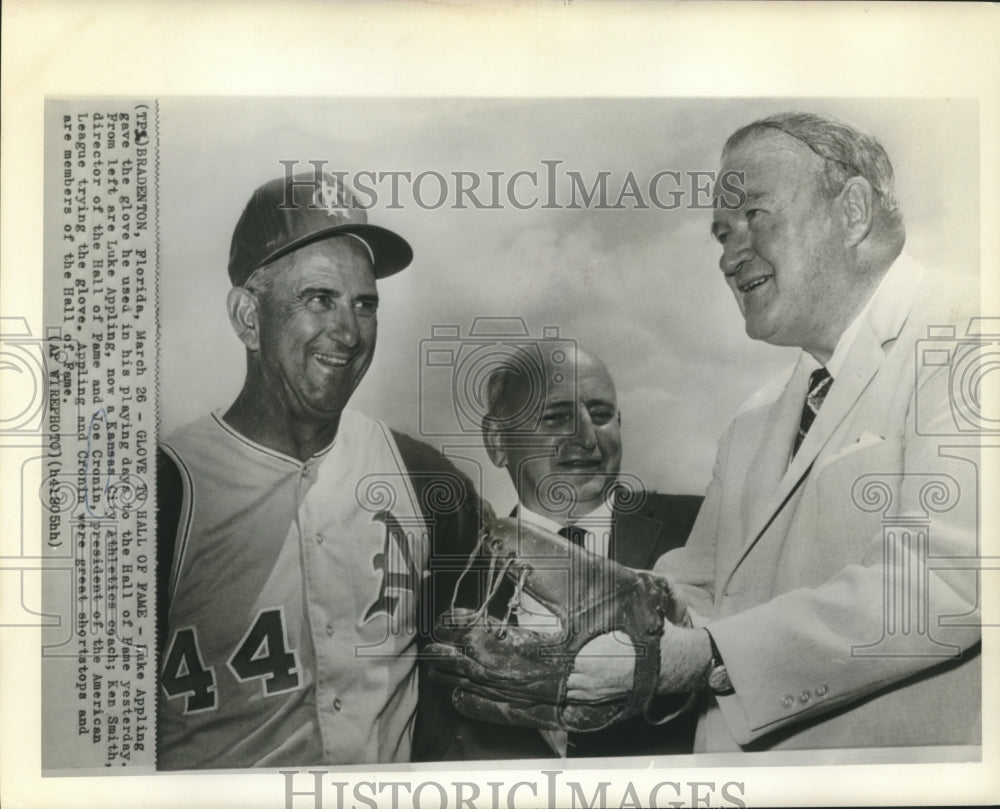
x: 294, y: 535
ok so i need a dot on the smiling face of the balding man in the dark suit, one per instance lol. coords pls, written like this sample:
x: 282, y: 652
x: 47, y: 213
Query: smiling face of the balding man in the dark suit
x: 576, y: 448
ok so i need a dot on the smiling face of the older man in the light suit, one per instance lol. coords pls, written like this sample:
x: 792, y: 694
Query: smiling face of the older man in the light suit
x: 784, y: 254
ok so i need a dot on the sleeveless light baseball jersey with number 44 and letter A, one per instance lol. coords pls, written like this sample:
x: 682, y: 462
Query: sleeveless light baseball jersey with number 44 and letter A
x: 291, y: 634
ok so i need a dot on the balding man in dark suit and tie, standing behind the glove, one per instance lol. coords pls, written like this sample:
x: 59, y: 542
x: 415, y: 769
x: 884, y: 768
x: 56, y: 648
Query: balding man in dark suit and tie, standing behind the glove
x: 560, y: 441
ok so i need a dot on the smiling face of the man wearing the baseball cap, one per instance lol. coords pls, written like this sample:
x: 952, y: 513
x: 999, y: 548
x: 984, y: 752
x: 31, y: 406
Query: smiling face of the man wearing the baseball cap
x: 317, y: 329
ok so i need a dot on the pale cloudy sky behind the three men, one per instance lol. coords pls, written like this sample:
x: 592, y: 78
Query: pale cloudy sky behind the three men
x: 641, y: 288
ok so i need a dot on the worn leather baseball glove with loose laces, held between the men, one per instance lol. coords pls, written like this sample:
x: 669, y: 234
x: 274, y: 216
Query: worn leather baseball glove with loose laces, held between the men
x: 505, y: 671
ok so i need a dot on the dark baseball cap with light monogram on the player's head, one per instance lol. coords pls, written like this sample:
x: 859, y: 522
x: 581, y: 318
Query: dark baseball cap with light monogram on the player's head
x: 299, y: 209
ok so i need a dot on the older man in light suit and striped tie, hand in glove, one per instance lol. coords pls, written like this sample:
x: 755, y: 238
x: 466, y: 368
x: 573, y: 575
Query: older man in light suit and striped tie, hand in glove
x: 828, y: 574
